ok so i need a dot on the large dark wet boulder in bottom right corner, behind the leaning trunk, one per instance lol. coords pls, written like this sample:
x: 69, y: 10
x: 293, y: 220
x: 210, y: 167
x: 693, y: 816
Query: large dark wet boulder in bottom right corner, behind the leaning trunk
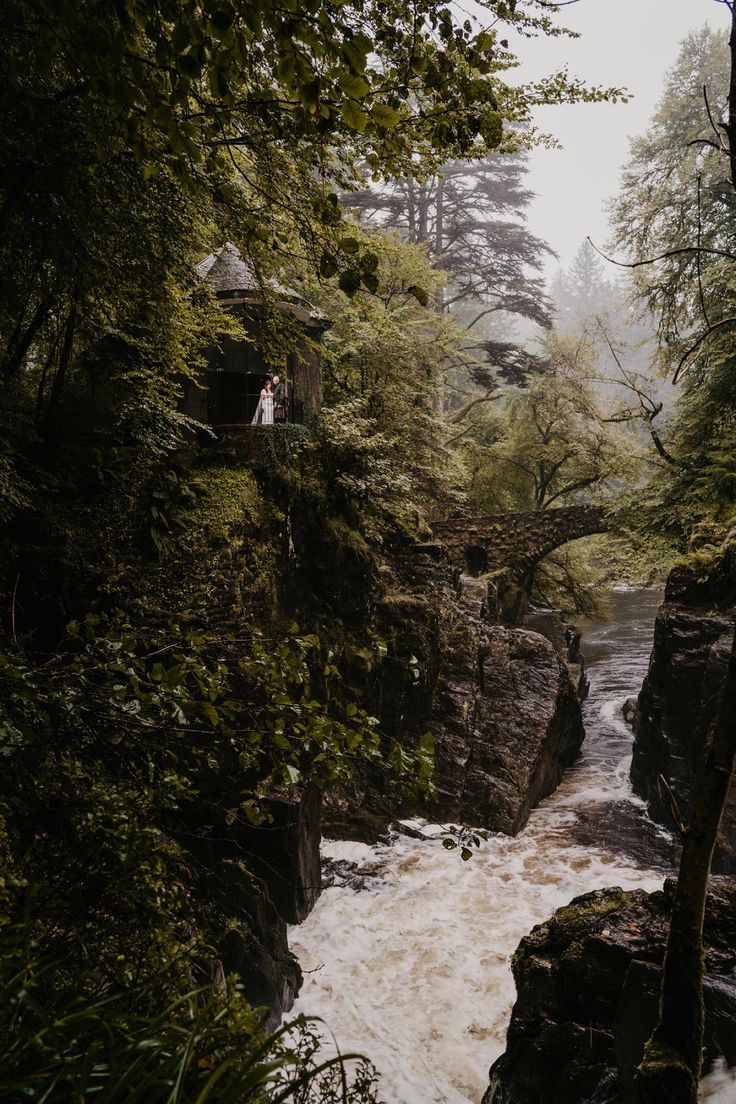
x: 588, y: 984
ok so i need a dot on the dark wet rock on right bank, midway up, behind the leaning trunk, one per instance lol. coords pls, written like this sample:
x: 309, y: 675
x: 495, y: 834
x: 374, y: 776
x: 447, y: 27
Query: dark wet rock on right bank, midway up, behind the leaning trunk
x: 678, y: 700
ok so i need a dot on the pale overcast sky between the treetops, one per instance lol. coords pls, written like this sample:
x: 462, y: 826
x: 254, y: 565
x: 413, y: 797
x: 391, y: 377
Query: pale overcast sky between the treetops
x: 625, y: 44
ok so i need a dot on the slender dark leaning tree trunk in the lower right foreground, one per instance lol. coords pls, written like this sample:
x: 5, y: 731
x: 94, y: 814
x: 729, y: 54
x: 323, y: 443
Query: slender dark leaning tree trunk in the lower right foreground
x: 671, y: 1068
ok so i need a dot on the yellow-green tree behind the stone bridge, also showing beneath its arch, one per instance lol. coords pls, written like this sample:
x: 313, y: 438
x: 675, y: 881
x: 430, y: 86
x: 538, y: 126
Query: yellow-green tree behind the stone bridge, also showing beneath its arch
x: 553, y: 443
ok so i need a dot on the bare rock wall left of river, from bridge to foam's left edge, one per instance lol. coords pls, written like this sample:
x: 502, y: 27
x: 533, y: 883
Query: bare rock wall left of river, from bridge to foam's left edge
x: 502, y: 704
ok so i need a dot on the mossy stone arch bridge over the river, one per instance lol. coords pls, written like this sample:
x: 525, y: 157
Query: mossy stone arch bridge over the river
x: 517, y: 542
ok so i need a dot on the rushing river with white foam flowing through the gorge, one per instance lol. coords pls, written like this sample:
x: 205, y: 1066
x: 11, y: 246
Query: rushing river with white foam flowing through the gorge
x: 407, y: 958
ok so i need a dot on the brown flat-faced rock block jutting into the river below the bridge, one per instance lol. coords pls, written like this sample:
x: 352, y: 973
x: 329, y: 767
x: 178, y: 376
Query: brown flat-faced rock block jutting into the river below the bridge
x: 507, y: 718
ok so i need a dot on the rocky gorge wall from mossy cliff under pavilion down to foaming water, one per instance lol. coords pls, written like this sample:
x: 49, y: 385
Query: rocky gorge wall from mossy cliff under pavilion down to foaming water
x: 415, y: 643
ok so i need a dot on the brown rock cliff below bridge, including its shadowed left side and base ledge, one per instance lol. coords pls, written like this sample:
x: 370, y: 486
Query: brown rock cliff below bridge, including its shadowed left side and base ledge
x: 500, y: 703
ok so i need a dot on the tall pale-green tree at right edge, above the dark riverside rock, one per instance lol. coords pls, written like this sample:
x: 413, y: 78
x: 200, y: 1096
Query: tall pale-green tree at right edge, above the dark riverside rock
x: 677, y: 206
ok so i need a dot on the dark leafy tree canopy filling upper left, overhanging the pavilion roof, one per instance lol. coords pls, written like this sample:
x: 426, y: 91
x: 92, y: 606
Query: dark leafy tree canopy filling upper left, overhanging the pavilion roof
x: 133, y: 135
